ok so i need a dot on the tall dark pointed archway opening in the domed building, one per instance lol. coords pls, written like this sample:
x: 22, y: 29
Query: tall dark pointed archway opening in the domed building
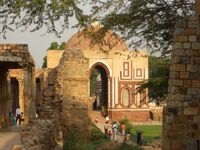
x: 100, y: 86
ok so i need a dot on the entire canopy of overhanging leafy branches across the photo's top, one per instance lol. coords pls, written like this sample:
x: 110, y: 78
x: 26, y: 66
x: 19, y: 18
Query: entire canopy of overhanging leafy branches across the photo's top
x: 148, y: 23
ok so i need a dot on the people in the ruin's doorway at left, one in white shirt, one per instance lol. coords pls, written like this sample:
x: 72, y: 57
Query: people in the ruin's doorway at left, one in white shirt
x: 16, y: 118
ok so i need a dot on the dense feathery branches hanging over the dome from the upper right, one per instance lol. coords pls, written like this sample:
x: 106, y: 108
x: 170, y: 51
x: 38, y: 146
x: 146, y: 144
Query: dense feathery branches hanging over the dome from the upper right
x: 144, y: 23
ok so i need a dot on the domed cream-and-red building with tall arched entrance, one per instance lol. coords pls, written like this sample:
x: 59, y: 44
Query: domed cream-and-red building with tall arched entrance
x: 119, y: 71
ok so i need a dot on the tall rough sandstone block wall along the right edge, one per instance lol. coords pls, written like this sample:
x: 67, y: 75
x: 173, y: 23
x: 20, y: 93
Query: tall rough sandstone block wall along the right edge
x: 181, y: 120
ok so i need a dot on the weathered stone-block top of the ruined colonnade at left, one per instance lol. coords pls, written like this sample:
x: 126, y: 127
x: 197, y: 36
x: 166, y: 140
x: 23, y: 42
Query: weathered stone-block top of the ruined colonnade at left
x: 17, y: 53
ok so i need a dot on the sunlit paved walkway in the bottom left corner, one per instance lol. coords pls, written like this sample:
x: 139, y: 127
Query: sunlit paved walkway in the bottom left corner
x: 10, y: 137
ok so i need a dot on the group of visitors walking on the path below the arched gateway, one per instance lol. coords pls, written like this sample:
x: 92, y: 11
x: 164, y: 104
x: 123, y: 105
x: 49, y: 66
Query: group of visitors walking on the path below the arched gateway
x: 116, y: 128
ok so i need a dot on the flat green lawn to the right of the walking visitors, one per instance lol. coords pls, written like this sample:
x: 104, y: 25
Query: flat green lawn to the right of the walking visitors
x: 149, y: 132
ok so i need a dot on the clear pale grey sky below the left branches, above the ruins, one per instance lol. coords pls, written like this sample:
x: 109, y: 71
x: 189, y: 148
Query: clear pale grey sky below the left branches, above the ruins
x: 38, y: 43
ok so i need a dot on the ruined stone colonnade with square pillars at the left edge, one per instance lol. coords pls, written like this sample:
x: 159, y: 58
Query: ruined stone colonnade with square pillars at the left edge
x: 15, y: 58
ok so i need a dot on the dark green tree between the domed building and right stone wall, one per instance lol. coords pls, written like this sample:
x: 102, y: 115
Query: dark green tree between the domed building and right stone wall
x: 158, y: 78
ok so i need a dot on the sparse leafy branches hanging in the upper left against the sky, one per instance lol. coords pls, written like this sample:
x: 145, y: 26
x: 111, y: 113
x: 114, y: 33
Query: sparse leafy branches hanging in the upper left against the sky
x: 33, y: 15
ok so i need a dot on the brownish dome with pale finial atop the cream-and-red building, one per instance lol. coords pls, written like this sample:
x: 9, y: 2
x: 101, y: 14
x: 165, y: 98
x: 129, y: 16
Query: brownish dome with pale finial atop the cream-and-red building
x: 89, y: 39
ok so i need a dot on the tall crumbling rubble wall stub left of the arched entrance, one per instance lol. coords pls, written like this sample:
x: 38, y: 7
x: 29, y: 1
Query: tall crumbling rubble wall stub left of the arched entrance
x: 72, y: 86
